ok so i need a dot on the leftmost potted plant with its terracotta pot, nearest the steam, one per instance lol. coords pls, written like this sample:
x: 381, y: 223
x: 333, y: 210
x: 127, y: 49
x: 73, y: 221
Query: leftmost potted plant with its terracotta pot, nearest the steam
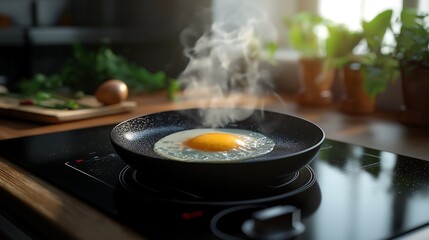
x: 315, y: 77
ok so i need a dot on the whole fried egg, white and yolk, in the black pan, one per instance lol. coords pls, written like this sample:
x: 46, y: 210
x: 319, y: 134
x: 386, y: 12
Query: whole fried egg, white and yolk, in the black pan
x: 207, y: 144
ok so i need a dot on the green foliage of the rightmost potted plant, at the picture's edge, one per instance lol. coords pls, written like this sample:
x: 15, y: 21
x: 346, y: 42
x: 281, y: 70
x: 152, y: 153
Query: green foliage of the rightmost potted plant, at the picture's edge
x: 412, y: 41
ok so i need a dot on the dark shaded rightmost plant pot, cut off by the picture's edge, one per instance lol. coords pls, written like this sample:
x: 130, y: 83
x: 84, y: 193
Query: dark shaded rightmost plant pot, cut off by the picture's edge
x: 415, y: 89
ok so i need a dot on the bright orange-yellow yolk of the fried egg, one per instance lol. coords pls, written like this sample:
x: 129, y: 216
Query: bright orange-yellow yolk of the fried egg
x: 215, y: 142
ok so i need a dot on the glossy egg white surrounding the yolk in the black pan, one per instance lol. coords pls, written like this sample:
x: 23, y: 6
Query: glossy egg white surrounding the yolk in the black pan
x: 172, y: 146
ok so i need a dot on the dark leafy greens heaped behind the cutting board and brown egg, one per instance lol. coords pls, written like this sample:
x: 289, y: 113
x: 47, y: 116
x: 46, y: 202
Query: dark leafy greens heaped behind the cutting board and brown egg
x: 86, y: 70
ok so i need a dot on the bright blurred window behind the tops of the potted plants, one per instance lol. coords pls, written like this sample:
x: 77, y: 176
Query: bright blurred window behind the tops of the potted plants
x: 350, y: 12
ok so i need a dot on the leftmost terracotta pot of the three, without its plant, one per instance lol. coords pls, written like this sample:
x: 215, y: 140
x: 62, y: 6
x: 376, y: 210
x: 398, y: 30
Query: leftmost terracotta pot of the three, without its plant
x: 315, y: 85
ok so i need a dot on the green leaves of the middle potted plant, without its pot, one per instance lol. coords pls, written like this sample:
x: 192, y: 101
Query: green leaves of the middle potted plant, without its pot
x: 378, y: 68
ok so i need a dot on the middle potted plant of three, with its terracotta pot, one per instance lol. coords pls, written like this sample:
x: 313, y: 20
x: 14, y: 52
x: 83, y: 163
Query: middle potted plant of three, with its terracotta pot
x: 365, y: 76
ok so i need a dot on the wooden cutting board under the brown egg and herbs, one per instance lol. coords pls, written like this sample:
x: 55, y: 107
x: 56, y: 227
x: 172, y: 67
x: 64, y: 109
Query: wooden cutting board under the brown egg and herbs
x: 10, y: 106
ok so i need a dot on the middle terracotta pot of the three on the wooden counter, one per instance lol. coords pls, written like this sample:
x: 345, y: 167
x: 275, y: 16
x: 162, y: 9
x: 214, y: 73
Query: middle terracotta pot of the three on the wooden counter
x: 355, y: 99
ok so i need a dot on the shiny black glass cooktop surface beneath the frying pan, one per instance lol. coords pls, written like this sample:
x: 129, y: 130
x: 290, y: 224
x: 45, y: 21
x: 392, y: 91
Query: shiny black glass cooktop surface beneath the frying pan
x: 347, y: 192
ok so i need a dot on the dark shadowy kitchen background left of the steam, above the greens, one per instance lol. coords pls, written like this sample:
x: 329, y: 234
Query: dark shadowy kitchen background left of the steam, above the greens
x: 36, y: 35
